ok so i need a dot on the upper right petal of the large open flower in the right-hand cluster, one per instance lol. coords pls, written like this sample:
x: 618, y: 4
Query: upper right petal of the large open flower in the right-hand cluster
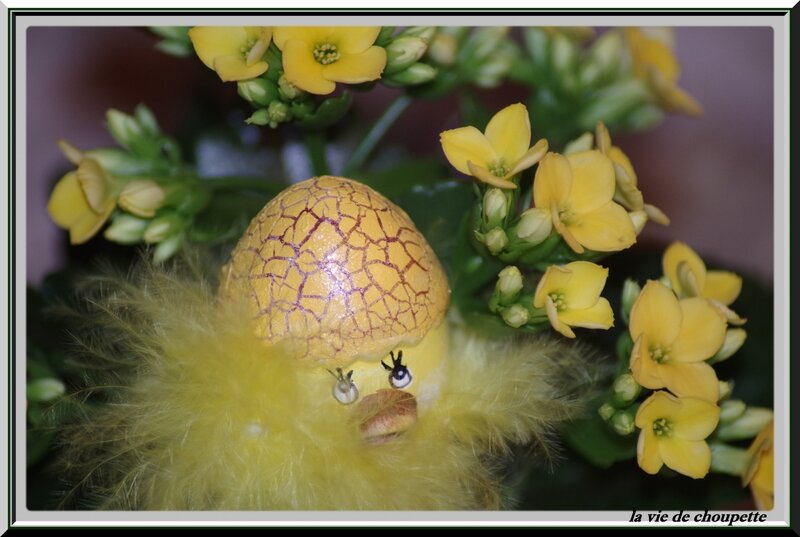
x: 702, y: 331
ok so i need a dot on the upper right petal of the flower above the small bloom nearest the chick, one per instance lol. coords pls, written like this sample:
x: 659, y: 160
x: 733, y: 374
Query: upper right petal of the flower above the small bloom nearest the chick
x: 593, y: 181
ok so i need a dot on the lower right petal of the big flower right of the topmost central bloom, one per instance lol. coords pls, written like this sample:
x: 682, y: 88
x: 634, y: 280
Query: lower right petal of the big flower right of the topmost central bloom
x: 605, y: 229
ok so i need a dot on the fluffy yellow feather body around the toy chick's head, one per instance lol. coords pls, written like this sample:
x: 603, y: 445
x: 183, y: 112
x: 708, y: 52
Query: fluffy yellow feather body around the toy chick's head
x: 199, y: 415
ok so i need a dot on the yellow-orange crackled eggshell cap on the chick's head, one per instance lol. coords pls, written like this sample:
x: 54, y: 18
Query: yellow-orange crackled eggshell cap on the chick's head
x: 336, y: 272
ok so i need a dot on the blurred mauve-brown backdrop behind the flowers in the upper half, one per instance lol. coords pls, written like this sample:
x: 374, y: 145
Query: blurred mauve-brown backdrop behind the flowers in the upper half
x: 713, y: 176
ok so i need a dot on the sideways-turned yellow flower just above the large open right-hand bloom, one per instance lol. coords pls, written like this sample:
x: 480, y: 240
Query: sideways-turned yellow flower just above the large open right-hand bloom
x: 688, y: 276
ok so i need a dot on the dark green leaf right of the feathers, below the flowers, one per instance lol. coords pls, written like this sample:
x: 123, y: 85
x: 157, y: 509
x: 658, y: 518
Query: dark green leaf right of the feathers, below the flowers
x: 593, y: 440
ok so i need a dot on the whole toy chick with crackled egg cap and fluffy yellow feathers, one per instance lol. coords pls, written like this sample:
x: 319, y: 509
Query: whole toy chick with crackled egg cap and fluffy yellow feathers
x: 319, y: 372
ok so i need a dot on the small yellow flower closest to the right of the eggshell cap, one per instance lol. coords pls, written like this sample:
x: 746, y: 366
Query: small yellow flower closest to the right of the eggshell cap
x: 570, y: 295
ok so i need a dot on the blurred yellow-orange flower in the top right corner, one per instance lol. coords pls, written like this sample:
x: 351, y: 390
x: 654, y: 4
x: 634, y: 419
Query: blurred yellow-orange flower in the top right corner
x: 654, y: 62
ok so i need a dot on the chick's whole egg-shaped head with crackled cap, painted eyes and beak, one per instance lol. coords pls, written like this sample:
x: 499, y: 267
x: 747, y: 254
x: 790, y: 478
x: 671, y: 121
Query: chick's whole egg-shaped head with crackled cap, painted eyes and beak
x: 341, y: 278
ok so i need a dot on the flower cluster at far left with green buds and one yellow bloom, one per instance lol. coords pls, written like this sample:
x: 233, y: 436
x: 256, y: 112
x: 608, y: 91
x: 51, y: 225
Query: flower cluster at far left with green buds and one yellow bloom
x: 142, y: 187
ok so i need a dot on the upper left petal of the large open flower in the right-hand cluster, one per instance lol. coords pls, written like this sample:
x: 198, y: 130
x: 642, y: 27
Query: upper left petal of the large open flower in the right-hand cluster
x: 656, y: 313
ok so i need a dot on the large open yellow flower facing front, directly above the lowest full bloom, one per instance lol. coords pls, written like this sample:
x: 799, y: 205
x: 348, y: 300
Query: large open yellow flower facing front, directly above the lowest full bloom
x: 672, y: 340
